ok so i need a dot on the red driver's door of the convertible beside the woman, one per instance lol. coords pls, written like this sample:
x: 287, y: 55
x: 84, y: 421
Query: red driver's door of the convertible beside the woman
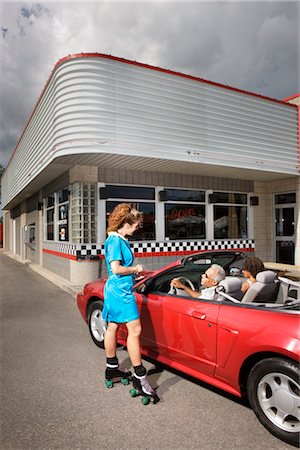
x: 180, y: 329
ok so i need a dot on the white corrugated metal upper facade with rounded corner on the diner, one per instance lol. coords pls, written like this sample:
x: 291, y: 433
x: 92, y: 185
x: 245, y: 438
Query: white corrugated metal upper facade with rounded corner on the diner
x: 106, y: 106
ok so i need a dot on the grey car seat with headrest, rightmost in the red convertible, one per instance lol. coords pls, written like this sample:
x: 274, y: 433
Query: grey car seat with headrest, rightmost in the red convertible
x: 264, y: 290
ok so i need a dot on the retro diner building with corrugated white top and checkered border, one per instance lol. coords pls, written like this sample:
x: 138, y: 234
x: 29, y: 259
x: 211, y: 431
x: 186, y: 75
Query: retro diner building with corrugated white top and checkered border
x: 211, y: 167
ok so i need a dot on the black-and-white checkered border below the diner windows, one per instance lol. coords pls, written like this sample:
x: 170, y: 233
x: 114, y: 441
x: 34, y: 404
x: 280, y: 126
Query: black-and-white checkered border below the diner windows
x: 86, y: 251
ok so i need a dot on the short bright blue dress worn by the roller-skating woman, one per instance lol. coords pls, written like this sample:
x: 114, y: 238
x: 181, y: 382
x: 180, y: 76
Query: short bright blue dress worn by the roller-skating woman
x: 119, y: 301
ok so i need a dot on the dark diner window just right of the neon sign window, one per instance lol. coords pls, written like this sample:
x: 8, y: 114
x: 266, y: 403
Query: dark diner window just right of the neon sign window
x: 230, y: 221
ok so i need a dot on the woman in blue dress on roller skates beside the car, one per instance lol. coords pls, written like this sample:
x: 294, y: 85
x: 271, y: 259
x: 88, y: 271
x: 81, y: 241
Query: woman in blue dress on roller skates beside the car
x: 119, y: 301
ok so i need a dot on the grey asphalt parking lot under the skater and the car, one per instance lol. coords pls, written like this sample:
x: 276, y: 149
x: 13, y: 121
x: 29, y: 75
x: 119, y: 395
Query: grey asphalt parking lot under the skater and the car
x: 53, y: 394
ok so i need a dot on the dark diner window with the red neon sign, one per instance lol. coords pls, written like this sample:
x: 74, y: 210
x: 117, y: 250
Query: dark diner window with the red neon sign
x: 184, y: 215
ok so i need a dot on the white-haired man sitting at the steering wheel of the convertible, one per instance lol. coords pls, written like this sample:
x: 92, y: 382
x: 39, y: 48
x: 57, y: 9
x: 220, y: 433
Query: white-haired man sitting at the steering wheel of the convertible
x: 210, y: 280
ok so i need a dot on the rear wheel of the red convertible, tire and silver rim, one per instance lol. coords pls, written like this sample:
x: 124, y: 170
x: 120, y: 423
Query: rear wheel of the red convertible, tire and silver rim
x: 274, y: 395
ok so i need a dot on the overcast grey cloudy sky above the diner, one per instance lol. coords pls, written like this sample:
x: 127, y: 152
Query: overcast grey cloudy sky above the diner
x: 248, y: 45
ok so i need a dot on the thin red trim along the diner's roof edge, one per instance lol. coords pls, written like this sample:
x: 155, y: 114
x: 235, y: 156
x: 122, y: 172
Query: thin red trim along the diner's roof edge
x: 146, y: 66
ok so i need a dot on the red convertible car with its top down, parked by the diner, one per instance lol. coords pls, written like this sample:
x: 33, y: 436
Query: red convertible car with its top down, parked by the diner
x: 245, y: 347
